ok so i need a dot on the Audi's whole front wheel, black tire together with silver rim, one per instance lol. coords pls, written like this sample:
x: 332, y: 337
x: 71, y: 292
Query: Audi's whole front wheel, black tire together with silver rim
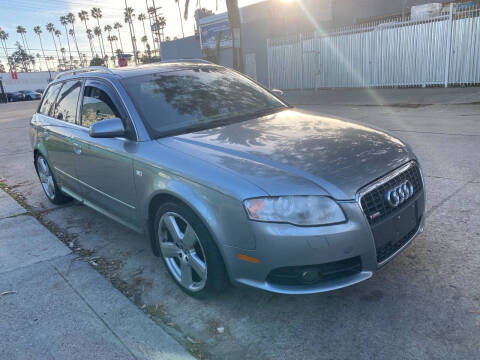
x: 188, y: 258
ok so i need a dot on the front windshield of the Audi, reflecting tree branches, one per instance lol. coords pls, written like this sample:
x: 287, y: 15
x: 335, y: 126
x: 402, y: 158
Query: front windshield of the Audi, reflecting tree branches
x: 197, y: 98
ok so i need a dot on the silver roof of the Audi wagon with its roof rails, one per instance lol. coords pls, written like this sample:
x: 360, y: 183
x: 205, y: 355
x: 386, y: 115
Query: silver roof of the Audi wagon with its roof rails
x: 132, y: 71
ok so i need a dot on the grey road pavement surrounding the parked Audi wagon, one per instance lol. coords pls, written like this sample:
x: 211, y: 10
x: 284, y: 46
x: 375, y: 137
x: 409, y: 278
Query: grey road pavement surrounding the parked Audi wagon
x: 425, y: 304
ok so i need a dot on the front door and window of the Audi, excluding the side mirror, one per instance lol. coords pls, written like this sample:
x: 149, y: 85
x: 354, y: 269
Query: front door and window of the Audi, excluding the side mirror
x: 105, y: 166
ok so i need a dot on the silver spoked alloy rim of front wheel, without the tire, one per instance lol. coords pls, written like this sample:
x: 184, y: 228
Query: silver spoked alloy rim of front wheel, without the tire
x: 182, y: 251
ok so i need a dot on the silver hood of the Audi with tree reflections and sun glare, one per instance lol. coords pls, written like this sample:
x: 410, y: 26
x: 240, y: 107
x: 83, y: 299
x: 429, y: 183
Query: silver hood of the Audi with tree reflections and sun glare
x: 283, y: 152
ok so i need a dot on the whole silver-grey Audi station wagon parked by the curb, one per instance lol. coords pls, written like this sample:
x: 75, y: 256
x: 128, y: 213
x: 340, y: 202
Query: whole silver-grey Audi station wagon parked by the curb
x: 229, y: 183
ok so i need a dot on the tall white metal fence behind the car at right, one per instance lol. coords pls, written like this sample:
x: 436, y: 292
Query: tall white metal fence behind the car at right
x: 442, y: 50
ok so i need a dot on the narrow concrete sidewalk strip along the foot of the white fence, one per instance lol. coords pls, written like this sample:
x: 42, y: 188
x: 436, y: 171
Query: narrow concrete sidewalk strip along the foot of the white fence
x: 391, y: 97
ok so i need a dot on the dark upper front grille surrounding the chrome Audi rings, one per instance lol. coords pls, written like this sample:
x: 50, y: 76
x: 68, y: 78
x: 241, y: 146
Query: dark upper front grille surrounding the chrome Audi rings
x: 374, y: 202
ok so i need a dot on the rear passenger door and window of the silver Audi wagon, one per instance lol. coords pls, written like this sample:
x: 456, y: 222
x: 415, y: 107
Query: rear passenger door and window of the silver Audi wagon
x: 59, y: 134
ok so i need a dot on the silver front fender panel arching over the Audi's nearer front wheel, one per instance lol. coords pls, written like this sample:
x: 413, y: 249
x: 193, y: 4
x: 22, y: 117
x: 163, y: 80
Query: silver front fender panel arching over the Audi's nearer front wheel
x: 162, y: 171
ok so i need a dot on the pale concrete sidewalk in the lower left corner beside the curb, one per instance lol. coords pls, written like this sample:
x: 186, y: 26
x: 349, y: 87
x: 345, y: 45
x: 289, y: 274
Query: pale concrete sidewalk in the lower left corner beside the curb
x: 54, y: 305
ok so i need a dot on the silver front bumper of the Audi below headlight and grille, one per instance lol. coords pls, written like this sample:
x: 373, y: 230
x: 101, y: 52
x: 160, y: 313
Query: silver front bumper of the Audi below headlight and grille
x: 284, y: 245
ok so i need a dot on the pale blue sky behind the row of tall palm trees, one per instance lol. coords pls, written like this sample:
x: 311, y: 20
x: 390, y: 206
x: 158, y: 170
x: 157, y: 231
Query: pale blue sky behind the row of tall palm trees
x: 30, y: 13
